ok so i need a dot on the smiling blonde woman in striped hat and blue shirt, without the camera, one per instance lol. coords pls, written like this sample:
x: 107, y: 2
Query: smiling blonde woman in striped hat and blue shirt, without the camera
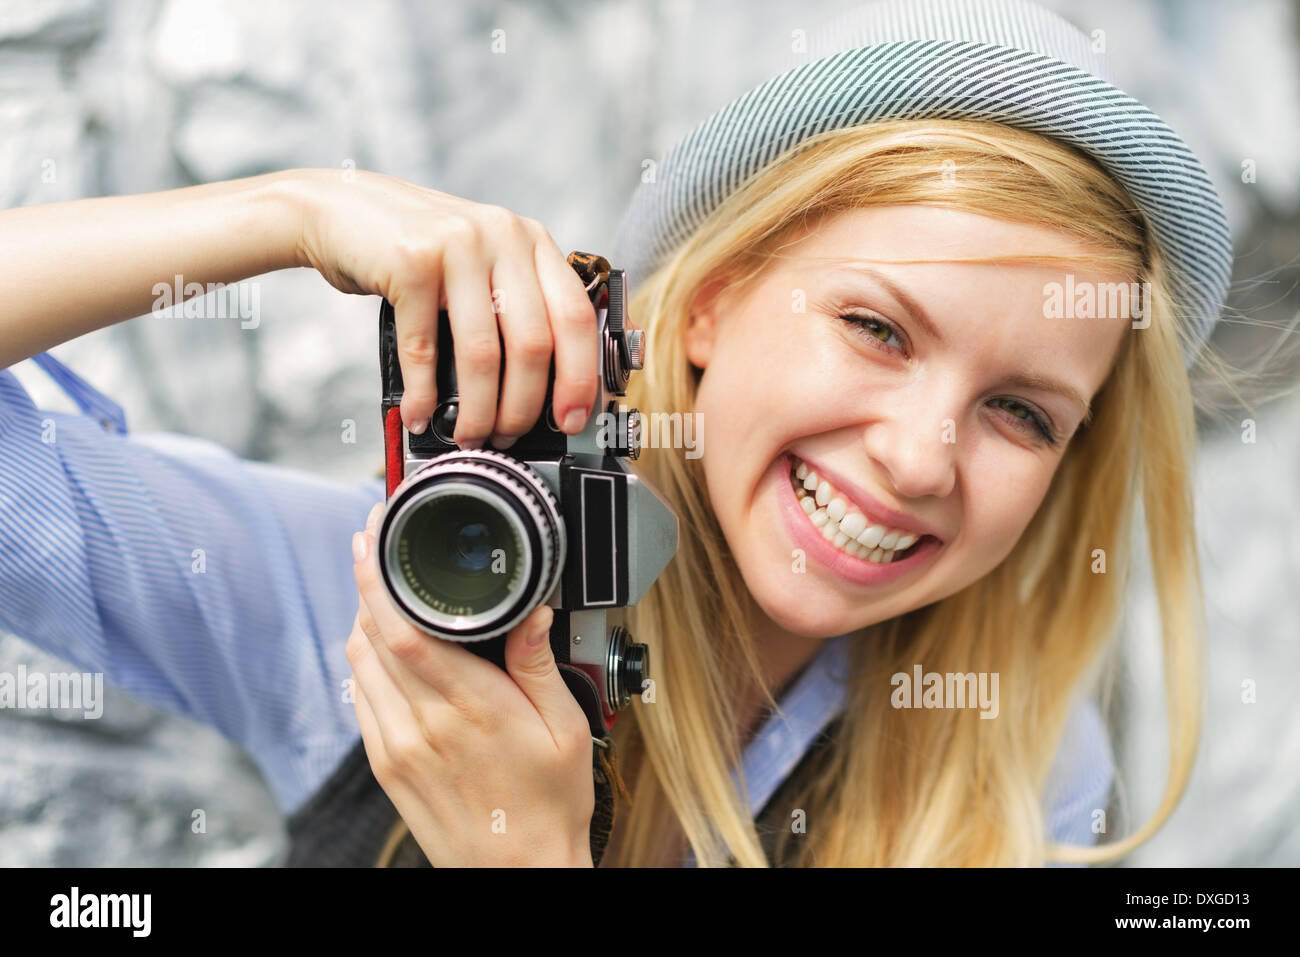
x: 870, y: 279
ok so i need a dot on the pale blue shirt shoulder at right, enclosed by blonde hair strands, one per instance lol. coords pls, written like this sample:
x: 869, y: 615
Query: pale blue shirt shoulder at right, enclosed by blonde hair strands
x: 1081, y: 780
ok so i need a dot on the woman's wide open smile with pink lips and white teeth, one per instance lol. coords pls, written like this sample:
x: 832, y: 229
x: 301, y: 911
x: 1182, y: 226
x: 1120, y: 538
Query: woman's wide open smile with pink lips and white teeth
x: 843, y: 535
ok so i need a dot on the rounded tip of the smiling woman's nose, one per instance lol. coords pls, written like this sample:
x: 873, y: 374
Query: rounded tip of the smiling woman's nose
x: 916, y: 445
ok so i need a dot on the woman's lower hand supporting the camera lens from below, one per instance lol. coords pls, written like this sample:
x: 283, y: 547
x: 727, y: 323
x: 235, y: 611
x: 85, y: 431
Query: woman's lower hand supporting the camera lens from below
x: 487, y: 768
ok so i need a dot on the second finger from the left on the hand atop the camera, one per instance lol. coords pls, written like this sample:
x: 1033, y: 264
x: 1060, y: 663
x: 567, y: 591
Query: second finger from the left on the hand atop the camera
x: 476, y: 340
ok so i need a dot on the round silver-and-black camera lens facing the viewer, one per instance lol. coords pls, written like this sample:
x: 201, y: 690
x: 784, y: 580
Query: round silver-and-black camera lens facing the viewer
x: 473, y: 543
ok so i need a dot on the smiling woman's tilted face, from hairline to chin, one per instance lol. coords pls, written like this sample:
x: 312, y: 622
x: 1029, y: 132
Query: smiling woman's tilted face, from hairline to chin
x: 913, y: 393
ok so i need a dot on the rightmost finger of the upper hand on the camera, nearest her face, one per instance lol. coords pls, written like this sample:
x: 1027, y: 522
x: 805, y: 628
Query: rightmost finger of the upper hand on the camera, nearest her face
x: 573, y: 319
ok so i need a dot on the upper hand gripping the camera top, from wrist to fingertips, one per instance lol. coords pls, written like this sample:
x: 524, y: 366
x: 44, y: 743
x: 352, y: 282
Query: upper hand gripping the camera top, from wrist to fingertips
x: 426, y: 252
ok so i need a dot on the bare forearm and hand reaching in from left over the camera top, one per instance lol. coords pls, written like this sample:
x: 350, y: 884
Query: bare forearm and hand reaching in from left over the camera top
x: 513, y: 300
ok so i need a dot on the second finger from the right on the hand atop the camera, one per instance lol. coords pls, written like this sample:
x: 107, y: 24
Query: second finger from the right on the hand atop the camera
x: 528, y: 349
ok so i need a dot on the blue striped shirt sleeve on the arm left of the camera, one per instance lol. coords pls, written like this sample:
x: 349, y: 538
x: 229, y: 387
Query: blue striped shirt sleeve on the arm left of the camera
x: 203, y: 584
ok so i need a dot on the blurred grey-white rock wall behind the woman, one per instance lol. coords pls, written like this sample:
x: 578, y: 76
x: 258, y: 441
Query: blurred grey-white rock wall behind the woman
x: 102, y: 98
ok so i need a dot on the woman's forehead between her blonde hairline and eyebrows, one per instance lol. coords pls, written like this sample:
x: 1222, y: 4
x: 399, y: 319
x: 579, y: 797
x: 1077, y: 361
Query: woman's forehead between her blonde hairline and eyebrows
x: 1007, y: 311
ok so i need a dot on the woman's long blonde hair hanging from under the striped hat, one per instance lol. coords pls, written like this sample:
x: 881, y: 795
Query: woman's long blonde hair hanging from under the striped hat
x: 924, y: 787
